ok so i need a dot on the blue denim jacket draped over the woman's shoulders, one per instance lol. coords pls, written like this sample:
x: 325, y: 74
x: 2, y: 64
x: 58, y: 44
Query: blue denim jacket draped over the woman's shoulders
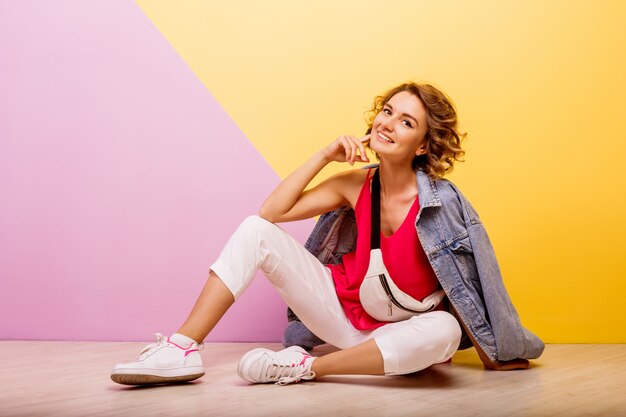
x: 462, y: 257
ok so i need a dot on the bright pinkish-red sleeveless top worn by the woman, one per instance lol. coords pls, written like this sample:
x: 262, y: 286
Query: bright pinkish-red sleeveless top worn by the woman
x: 403, y: 256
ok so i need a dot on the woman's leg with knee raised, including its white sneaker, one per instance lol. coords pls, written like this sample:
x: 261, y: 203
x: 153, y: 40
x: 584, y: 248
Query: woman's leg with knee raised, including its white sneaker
x: 302, y: 281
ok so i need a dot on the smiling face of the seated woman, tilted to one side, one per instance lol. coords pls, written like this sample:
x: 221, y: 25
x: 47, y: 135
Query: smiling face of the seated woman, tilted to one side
x: 399, y: 129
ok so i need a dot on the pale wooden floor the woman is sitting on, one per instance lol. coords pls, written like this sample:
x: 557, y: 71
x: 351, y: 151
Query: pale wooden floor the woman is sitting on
x: 72, y: 379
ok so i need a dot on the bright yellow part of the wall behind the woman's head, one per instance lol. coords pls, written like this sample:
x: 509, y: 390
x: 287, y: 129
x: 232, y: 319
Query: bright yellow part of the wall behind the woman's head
x: 539, y: 86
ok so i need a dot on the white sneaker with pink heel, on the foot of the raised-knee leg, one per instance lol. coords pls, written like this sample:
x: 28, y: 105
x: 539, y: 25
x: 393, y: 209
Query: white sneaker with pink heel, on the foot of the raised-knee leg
x: 161, y: 362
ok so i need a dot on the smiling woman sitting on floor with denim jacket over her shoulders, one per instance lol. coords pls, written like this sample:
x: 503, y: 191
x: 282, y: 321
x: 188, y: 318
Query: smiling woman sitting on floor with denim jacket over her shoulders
x: 409, y: 223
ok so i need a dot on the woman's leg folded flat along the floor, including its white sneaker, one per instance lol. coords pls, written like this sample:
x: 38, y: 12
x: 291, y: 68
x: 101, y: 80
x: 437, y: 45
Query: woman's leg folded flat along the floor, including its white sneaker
x: 394, y: 349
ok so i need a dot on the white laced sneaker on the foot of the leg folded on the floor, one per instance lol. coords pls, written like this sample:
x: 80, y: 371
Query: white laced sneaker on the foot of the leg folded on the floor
x: 284, y: 367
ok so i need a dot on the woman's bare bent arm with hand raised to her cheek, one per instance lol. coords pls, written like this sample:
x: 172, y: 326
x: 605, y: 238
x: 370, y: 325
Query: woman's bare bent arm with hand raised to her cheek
x: 289, y: 201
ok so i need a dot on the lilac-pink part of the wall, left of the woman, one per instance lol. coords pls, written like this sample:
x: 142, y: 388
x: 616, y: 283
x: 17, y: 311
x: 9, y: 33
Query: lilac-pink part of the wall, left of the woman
x: 120, y: 177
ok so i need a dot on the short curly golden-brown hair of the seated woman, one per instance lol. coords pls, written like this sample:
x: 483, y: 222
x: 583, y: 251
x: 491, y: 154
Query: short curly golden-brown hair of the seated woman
x: 443, y: 139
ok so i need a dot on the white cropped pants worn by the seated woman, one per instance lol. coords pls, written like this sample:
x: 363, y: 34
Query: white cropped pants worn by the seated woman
x: 306, y: 285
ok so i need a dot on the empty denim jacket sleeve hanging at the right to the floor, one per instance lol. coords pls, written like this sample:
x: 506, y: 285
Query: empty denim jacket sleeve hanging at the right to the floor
x: 512, y: 340
